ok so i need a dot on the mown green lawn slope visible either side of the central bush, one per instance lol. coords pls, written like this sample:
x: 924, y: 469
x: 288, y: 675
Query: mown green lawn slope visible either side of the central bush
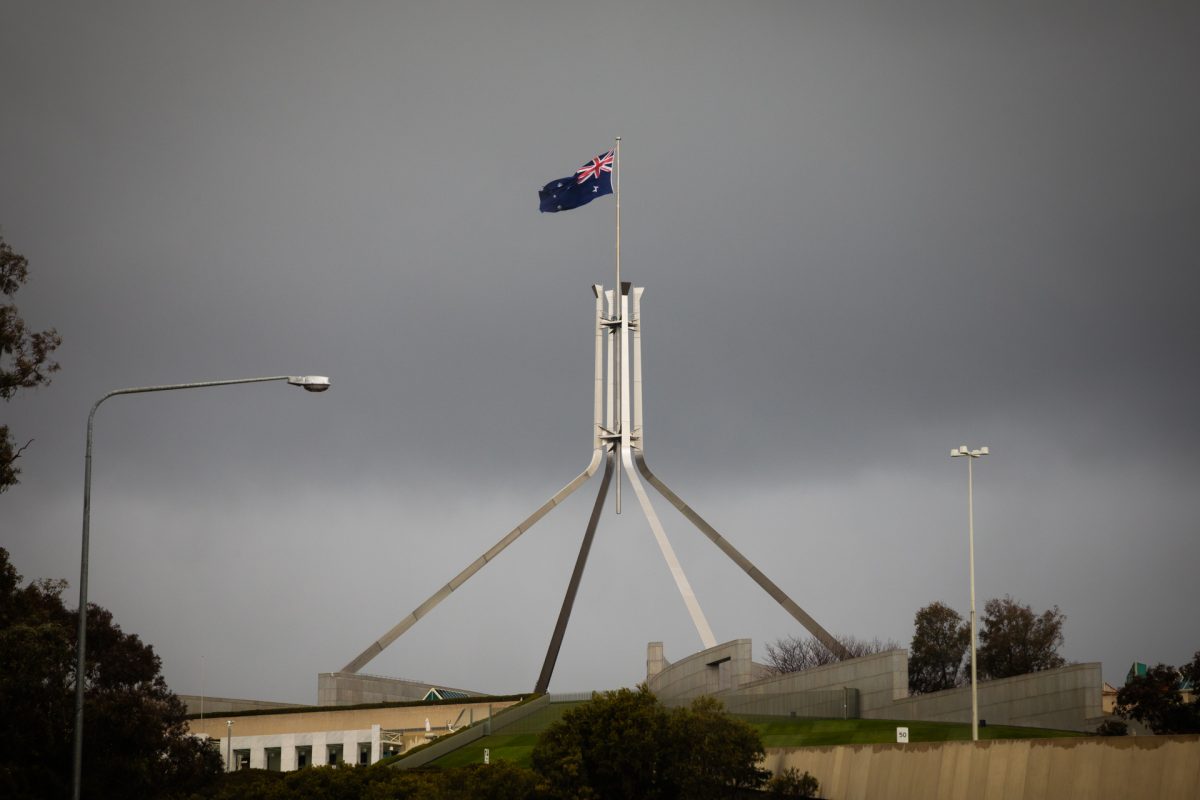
x: 776, y: 732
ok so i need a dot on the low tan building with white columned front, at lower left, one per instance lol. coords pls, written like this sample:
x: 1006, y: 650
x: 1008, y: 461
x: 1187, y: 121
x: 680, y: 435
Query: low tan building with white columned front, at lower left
x: 296, y: 738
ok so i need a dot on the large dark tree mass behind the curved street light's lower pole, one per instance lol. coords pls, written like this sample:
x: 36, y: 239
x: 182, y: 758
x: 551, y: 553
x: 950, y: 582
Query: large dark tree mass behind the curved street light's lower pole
x: 136, y: 743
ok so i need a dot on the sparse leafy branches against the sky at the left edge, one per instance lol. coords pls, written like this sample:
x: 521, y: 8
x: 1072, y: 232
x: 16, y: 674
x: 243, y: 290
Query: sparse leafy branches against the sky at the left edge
x: 25, y: 357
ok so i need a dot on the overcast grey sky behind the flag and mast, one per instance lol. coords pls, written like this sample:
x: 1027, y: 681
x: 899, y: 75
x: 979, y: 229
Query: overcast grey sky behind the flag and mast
x: 868, y: 233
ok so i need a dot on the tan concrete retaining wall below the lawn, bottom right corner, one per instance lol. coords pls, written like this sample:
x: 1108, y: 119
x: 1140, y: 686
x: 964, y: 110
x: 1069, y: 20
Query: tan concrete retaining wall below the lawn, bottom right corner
x: 1130, y: 768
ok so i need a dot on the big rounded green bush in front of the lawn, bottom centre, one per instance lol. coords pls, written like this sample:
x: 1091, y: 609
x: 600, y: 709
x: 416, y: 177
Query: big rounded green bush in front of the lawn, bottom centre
x: 626, y: 745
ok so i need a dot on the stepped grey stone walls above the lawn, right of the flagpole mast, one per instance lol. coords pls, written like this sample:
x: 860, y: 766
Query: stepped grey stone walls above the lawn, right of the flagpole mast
x: 875, y: 688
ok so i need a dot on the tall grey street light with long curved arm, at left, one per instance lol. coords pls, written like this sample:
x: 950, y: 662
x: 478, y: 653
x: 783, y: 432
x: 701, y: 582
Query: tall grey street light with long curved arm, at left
x: 310, y: 383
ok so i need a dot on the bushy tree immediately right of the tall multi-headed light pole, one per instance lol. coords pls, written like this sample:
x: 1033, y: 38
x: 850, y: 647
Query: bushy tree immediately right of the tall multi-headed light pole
x: 1015, y: 641
